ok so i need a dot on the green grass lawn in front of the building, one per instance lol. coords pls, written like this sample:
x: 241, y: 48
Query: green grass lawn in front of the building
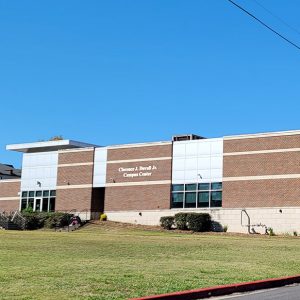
x: 110, y: 262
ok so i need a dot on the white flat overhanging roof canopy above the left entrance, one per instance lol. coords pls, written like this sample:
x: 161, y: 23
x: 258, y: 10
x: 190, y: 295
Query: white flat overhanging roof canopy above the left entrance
x: 47, y: 146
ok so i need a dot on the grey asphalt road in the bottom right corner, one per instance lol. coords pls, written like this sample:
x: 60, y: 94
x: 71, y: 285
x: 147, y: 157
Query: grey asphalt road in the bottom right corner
x: 291, y: 292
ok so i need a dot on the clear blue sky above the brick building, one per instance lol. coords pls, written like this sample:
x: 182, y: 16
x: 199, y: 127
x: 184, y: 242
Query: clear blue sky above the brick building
x: 111, y: 72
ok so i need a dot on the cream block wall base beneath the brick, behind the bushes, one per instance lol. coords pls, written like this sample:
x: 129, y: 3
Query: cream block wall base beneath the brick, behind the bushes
x: 282, y: 220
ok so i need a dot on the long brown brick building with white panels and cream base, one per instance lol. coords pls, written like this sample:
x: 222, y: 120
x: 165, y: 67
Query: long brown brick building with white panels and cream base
x: 244, y: 182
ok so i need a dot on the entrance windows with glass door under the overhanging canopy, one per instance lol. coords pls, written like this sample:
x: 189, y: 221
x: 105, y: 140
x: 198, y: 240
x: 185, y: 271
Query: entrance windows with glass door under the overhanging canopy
x: 38, y: 200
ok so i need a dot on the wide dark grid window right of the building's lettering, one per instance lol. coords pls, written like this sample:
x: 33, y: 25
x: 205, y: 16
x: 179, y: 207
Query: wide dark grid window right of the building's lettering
x: 193, y: 195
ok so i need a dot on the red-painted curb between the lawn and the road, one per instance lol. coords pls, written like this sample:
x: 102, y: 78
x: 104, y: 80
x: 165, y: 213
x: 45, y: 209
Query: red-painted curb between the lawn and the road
x: 223, y: 290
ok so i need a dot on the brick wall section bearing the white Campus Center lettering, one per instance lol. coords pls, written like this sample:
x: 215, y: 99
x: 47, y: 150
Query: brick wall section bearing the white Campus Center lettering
x: 140, y: 192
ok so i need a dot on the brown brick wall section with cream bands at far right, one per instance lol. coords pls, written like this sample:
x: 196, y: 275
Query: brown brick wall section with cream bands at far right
x: 261, y: 189
